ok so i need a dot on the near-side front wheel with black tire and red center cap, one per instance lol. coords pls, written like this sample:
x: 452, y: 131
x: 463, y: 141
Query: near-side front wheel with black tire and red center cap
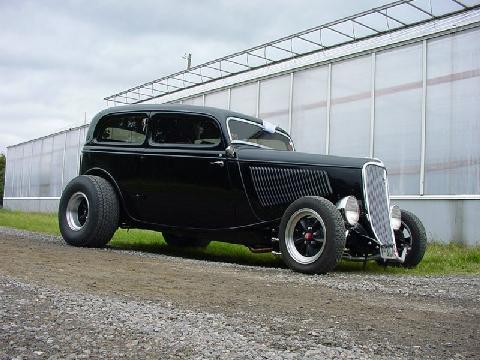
x: 312, y: 235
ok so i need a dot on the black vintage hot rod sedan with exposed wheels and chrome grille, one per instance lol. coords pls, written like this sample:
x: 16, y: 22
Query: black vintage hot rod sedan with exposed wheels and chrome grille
x: 199, y: 174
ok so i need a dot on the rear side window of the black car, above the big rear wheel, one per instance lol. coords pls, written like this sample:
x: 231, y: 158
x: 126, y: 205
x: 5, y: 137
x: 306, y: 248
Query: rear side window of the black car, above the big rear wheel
x: 122, y: 128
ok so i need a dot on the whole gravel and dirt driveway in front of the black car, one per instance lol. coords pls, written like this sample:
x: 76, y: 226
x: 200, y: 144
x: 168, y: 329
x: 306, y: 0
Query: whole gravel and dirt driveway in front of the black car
x: 58, y: 301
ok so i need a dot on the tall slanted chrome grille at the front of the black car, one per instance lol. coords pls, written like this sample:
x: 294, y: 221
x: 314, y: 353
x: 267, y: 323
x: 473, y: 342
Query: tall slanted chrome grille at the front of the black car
x: 377, y: 204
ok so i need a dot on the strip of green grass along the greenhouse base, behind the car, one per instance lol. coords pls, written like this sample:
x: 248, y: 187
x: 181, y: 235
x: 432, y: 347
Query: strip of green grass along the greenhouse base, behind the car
x: 439, y: 259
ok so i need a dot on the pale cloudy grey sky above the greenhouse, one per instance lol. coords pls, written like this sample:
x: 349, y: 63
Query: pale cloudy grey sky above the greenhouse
x: 59, y: 59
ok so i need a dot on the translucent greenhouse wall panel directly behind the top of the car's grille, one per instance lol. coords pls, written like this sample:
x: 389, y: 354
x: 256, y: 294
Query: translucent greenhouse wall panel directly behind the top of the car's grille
x: 398, y: 116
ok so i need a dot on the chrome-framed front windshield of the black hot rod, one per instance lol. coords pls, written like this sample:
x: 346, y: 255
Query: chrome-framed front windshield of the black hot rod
x: 244, y: 131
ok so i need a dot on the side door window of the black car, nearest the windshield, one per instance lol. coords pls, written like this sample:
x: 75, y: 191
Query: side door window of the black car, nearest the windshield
x: 185, y: 129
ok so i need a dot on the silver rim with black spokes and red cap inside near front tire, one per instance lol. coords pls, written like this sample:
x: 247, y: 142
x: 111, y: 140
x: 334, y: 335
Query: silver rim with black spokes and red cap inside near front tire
x: 305, y: 236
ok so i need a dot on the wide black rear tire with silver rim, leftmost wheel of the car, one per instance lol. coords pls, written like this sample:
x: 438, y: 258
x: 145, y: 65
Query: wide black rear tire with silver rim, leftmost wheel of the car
x: 89, y: 212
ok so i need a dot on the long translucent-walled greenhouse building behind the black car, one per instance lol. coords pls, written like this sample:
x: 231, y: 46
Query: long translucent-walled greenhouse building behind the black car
x: 400, y: 83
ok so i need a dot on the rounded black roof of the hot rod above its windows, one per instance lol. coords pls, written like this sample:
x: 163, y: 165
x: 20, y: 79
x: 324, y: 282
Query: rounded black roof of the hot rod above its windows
x: 220, y: 114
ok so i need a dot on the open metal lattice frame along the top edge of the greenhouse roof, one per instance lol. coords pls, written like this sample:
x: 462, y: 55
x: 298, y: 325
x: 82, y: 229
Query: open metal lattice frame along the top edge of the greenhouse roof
x: 367, y: 24
